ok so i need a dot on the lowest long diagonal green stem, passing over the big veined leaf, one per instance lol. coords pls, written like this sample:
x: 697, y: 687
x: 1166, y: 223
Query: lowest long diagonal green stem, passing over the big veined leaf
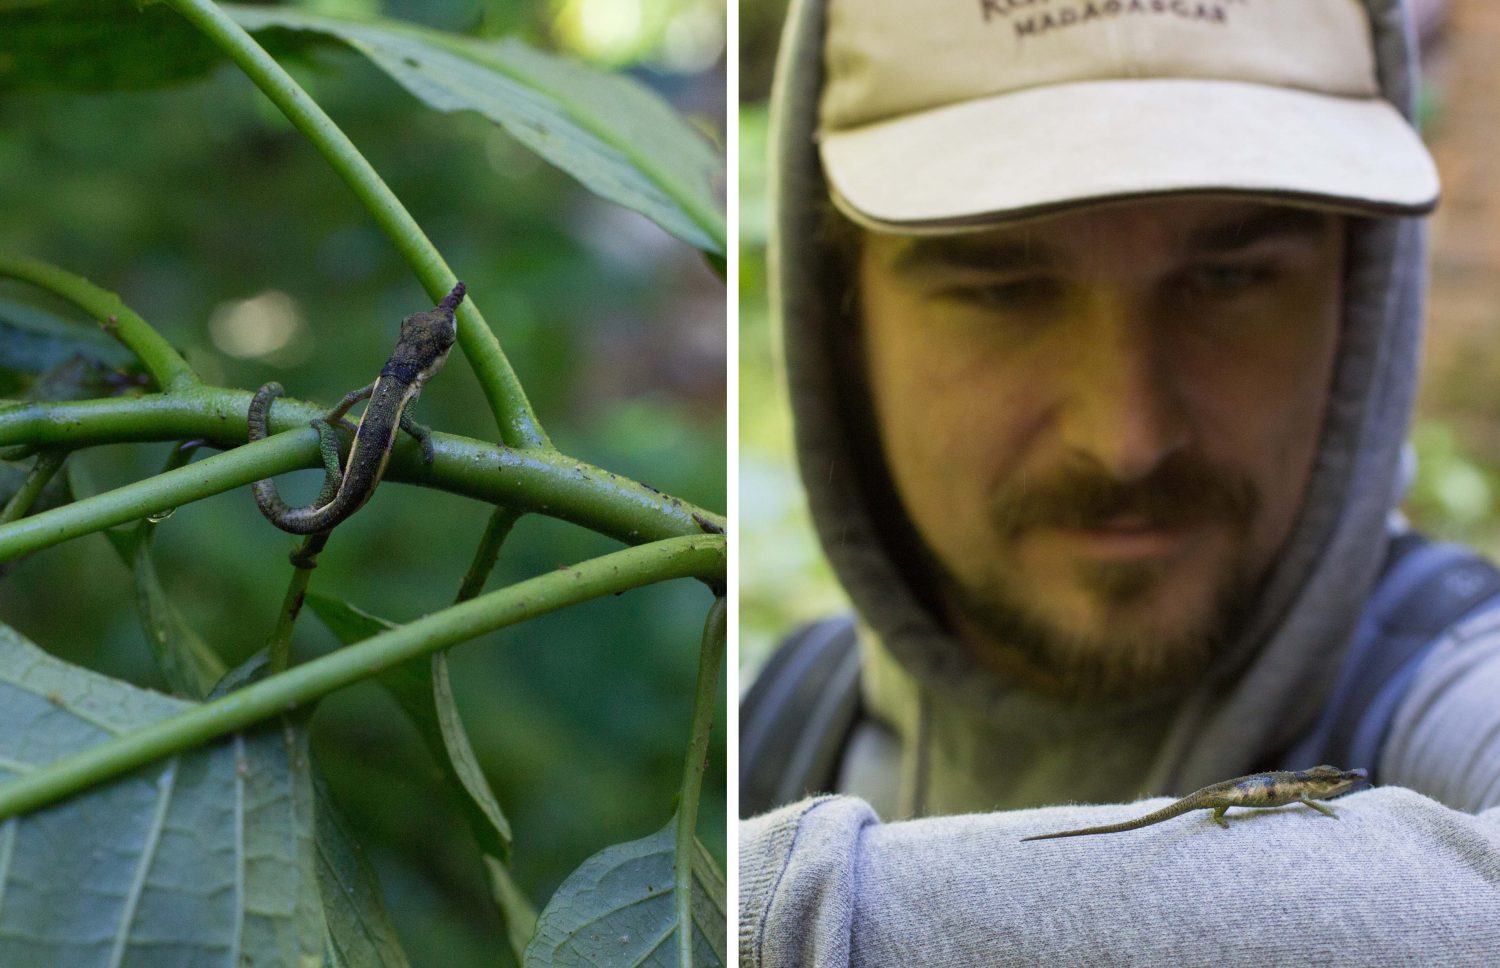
x: 611, y: 574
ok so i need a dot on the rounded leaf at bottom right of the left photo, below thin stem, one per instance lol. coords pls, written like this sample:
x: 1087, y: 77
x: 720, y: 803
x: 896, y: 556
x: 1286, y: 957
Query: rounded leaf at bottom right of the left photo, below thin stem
x: 619, y: 909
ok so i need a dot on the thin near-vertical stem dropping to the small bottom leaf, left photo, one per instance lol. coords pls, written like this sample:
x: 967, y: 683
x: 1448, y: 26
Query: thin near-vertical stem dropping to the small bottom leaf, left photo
x: 710, y: 658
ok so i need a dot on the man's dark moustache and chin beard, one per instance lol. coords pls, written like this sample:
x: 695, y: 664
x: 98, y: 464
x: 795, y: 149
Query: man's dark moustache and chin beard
x: 1184, y: 492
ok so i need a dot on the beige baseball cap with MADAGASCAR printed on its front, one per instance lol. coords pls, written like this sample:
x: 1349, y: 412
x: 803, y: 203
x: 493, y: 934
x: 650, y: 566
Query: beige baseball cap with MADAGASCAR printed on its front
x: 944, y: 115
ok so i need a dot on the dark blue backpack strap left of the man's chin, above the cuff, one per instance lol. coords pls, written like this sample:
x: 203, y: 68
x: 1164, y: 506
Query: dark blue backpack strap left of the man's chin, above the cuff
x: 797, y: 717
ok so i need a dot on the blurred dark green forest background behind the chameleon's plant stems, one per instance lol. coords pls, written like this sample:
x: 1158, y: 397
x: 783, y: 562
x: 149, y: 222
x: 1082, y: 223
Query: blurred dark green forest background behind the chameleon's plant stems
x: 212, y: 218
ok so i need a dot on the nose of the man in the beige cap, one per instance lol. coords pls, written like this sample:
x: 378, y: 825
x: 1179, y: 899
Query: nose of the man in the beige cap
x: 1124, y: 404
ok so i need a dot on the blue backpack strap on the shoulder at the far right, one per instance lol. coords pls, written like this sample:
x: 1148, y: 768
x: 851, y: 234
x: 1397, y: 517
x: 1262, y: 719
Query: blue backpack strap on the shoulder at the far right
x: 1424, y: 591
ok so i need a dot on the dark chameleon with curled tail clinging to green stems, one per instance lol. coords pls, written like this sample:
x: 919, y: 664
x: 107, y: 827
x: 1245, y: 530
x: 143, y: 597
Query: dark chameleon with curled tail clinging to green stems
x: 421, y: 352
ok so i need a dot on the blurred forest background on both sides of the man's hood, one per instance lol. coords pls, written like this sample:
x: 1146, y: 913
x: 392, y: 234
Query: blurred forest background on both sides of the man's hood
x: 1456, y: 496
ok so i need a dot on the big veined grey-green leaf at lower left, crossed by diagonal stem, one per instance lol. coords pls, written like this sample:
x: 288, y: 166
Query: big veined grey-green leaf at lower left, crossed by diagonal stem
x: 202, y: 859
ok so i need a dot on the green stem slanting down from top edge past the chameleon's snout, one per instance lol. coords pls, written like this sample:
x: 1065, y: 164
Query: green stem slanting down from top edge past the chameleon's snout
x: 508, y: 400
